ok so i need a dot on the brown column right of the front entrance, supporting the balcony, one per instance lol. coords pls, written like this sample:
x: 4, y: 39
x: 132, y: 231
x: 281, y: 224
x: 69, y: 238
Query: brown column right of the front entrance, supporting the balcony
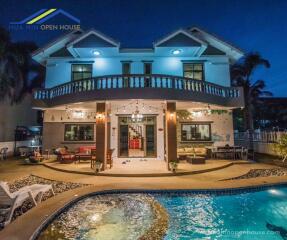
x: 171, y: 138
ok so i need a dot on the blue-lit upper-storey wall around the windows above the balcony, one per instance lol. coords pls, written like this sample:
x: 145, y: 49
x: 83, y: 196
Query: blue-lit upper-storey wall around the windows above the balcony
x: 216, y: 68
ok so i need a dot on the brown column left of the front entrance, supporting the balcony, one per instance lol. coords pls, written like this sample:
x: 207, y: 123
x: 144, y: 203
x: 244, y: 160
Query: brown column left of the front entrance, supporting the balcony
x: 101, y: 134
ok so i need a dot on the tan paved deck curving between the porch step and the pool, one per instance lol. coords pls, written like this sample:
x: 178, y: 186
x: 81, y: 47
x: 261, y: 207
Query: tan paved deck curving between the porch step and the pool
x: 24, y: 226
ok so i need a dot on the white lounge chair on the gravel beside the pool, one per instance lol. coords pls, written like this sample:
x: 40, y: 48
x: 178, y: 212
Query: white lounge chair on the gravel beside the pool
x: 11, y: 201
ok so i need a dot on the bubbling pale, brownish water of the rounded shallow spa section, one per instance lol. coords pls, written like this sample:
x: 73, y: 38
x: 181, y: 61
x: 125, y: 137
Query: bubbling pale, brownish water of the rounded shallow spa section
x: 120, y: 217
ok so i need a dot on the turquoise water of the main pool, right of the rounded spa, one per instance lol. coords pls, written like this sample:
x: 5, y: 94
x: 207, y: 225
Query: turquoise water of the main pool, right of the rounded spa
x: 255, y: 215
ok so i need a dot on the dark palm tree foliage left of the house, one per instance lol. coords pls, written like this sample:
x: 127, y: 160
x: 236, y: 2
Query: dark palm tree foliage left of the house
x: 18, y: 73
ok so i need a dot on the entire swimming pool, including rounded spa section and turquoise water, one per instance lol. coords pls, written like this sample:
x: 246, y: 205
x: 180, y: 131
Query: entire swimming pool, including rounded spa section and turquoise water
x: 187, y: 215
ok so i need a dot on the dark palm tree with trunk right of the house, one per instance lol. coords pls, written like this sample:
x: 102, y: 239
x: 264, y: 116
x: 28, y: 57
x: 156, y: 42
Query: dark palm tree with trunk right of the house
x: 241, y: 75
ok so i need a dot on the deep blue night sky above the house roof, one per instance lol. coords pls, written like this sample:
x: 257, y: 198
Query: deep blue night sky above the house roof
x: 252, y: 25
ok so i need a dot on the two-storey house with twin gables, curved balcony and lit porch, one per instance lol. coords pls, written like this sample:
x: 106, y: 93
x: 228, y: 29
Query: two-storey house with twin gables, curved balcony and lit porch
x: 143, y: 103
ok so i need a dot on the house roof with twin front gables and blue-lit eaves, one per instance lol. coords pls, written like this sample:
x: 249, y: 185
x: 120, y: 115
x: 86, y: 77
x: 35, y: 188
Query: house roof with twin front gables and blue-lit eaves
x: 206, y: 44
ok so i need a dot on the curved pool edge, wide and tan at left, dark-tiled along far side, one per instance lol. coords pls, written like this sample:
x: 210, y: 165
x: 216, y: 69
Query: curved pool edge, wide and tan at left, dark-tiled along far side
x: 40, y: 216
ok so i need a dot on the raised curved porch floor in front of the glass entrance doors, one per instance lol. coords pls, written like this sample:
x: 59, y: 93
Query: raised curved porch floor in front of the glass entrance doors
x: 137, y: 168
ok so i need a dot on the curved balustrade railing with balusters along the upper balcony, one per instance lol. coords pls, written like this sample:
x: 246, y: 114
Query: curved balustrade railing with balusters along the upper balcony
x: 154, y: 81
